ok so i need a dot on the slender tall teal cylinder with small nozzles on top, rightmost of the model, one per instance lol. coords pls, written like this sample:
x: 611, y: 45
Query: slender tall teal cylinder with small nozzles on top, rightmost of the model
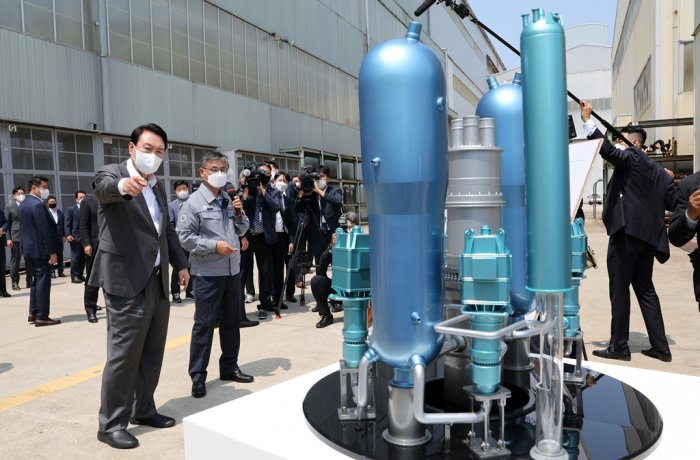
x: 543, y: 59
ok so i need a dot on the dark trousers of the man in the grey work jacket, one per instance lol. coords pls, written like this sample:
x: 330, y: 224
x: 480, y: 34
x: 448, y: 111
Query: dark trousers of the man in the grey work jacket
x: 216, y: 297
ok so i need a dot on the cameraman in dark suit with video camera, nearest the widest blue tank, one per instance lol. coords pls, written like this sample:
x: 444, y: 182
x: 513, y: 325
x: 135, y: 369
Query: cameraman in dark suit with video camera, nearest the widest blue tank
x: 325, y: 203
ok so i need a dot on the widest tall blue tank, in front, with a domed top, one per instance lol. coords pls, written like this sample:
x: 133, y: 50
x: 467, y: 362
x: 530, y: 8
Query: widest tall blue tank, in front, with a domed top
x: 403, y: 128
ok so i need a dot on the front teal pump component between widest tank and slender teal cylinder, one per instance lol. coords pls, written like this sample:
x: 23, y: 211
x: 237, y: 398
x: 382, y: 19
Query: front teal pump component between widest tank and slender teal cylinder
x: 485, y: 270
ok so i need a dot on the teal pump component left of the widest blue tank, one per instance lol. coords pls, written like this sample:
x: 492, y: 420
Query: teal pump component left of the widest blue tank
x: 351, y: 281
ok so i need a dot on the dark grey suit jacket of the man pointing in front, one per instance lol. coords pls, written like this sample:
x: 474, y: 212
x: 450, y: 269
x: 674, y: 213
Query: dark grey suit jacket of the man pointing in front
x: 129, y: 243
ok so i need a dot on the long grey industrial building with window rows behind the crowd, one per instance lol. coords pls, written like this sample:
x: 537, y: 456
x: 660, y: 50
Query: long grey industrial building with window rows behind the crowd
x: 259, y: 79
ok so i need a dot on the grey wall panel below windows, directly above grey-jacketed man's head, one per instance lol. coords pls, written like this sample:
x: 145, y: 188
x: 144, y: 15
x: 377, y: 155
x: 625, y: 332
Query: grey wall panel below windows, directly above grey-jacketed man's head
x: 231, y: 121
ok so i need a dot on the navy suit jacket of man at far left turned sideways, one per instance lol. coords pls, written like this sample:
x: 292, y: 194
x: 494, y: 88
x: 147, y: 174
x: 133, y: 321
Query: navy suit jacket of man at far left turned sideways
x: 39, y: 238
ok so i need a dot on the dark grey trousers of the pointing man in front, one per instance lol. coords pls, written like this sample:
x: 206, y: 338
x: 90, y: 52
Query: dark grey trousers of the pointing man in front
x: 136, y: 331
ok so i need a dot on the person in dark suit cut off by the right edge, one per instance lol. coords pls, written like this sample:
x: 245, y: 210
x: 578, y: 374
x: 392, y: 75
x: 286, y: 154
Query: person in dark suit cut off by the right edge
x: 684, y: 225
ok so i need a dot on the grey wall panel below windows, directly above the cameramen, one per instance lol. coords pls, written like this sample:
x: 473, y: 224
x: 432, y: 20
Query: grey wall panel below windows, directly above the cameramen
x: 292, y: 129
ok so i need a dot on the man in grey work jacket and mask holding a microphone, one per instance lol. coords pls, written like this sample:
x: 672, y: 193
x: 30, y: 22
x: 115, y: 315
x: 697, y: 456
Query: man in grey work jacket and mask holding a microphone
x: 209, y: 226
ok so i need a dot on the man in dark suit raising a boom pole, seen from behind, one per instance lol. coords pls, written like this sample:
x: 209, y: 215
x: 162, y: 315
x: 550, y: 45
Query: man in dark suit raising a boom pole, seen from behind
x: 633, y: 214
